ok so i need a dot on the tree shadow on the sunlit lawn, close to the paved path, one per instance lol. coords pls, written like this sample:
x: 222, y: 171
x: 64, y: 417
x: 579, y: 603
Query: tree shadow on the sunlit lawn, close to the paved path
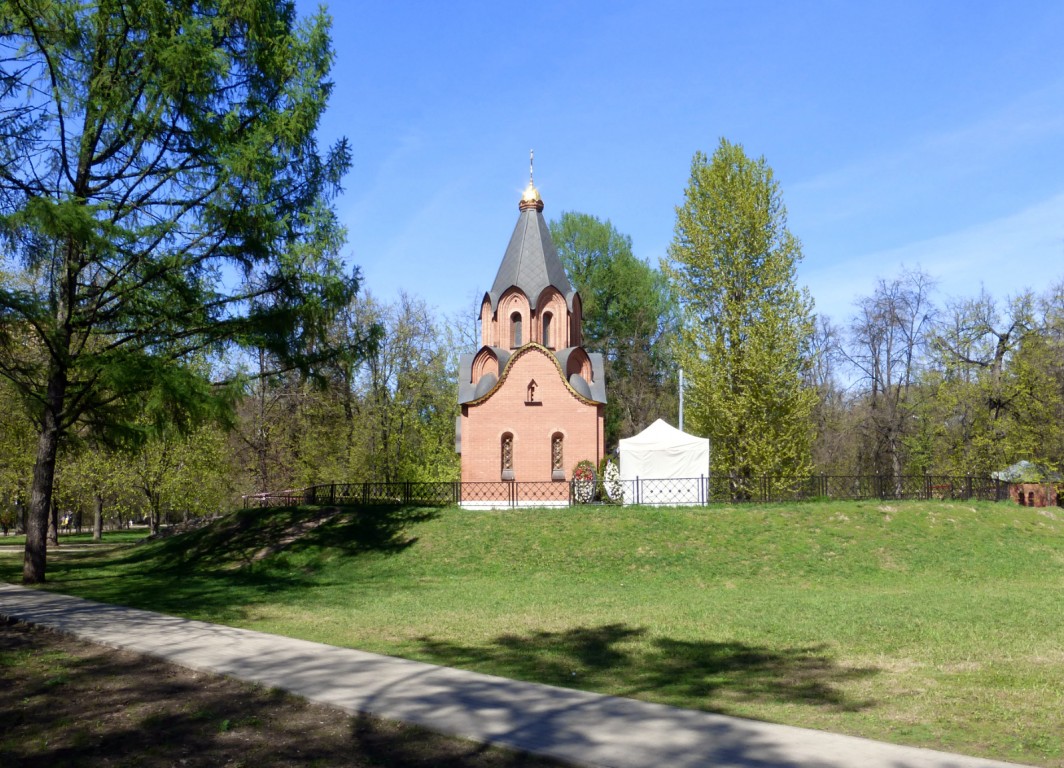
x: 627, y: 661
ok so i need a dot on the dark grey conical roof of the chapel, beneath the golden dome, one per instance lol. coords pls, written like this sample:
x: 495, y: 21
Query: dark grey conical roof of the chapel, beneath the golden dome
x: 531, y: 261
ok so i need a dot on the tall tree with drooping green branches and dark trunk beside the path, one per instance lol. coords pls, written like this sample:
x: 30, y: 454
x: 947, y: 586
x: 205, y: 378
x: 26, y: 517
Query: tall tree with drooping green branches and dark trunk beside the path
x: 161, y: 194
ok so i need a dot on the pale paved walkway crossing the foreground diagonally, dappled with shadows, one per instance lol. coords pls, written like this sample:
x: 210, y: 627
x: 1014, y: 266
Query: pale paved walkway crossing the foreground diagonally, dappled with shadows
x: 581, y: 728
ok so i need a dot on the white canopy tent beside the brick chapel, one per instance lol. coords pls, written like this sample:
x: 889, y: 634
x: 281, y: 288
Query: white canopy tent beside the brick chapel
x: 670, y: 465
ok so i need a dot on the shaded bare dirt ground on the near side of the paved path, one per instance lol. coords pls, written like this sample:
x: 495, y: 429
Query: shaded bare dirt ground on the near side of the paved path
x: 66, y: 703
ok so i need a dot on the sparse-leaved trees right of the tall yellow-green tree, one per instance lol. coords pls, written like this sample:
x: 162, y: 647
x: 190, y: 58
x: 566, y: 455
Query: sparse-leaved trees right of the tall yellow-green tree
x: 971, y: 387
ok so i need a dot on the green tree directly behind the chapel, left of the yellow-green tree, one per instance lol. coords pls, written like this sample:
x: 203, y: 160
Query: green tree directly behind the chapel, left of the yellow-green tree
x: 627, y: 316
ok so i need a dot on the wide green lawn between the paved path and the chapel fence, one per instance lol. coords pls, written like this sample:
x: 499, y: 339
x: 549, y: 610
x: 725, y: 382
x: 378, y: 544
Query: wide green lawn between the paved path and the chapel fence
x: 930, y: 624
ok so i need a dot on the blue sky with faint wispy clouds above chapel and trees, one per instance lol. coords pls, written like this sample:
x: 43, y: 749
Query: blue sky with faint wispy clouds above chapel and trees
x: 903, y: 135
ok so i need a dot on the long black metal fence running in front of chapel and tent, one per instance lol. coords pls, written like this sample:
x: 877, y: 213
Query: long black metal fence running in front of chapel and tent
x: 650, y: 492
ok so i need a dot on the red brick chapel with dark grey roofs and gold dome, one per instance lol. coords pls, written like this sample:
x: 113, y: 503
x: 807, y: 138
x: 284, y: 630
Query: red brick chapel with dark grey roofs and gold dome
x: 533, y: 398
